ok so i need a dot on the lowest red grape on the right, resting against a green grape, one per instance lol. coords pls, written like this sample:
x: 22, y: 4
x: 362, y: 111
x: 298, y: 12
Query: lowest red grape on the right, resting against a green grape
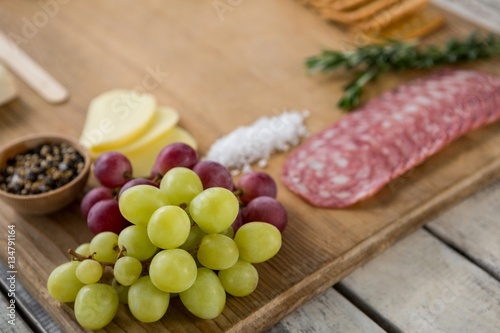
x: 266, y: 209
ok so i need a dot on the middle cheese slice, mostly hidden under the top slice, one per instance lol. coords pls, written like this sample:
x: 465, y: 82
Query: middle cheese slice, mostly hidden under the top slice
x: 164, y: 120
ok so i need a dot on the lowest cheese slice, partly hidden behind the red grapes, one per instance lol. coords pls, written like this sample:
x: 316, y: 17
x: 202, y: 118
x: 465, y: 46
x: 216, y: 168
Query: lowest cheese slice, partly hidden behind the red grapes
x: 143, y: 159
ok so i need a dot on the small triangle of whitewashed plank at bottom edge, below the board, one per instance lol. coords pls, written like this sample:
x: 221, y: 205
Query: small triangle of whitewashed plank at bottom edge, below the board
x: 329, y: 312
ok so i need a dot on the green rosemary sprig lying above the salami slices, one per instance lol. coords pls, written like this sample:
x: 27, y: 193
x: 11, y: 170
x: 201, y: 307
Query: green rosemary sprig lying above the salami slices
x: 371, y: 61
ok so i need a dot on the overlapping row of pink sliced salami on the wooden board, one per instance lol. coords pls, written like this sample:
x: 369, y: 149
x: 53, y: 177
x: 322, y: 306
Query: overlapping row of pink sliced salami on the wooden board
x: 358, y: 155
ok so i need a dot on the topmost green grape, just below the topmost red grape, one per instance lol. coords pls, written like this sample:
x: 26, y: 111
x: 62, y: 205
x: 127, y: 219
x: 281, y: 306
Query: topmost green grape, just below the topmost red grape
x: 181, y: 185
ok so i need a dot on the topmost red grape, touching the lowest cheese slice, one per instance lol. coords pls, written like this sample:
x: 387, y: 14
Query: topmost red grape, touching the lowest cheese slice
x: 174, y: 155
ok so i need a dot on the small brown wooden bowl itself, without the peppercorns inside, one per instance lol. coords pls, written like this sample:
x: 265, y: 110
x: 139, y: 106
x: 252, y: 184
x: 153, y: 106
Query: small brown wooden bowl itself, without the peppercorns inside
x: 53, y: 200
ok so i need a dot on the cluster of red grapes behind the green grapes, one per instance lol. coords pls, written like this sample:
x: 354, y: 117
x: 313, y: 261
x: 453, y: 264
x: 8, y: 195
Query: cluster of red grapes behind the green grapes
x: 256, y: 191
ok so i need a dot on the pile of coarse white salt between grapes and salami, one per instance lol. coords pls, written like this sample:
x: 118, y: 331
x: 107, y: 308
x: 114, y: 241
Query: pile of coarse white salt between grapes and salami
x: 257, y: 142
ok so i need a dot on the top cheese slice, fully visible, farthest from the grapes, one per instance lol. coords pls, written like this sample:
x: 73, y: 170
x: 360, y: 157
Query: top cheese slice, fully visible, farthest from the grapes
x: 117, y: 118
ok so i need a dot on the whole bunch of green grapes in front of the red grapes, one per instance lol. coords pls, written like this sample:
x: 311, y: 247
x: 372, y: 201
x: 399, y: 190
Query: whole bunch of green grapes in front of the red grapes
x: 185, y: 239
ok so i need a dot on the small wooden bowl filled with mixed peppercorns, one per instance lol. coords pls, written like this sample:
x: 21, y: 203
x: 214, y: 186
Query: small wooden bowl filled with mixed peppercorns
x: 42, y: 173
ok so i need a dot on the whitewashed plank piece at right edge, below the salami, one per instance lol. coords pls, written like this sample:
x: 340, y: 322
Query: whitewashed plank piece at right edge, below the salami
x: 473, y: 227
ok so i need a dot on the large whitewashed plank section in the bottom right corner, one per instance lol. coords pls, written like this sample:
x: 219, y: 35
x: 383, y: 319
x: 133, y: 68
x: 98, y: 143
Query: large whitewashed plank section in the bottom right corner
x: 422, y: 285
